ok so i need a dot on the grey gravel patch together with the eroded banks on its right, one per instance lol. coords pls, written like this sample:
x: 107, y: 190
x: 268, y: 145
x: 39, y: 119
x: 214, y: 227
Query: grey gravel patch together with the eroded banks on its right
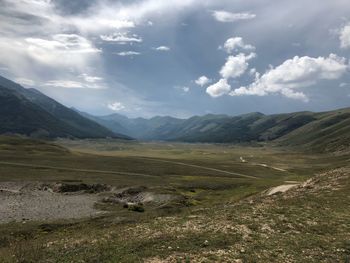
x: 39, y: 201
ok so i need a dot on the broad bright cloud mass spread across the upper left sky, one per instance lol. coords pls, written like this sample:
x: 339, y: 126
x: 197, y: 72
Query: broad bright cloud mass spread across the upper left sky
x: 36, y: 36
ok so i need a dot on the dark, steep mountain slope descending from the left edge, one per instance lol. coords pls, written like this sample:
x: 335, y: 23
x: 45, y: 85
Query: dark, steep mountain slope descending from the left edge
x: 29, y: 112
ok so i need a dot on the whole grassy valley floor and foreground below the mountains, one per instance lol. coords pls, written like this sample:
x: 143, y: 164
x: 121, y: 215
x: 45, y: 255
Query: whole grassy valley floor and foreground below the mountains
x: 113, y: 201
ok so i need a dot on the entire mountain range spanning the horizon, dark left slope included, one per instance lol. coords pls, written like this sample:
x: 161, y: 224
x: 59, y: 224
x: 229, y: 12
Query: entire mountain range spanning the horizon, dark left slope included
x: 29, y: 112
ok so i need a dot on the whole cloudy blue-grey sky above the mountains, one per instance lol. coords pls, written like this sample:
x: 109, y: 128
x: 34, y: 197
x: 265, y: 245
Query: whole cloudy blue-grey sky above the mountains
x: 143, y: 58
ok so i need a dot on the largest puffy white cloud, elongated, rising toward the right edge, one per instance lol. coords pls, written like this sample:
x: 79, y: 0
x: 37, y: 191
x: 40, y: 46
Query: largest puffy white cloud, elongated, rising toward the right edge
x: 294, y: 74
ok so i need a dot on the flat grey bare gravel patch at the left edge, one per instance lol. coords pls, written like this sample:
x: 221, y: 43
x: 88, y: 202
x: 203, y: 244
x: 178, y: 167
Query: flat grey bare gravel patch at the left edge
x: 32, y: 201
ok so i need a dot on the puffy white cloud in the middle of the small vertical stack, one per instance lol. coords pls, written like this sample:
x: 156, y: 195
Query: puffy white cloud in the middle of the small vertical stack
x: 236, y: 66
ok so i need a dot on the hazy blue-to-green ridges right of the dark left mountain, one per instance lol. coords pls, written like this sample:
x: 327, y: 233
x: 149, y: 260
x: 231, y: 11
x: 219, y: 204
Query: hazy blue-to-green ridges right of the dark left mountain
x: 327, y: 130
